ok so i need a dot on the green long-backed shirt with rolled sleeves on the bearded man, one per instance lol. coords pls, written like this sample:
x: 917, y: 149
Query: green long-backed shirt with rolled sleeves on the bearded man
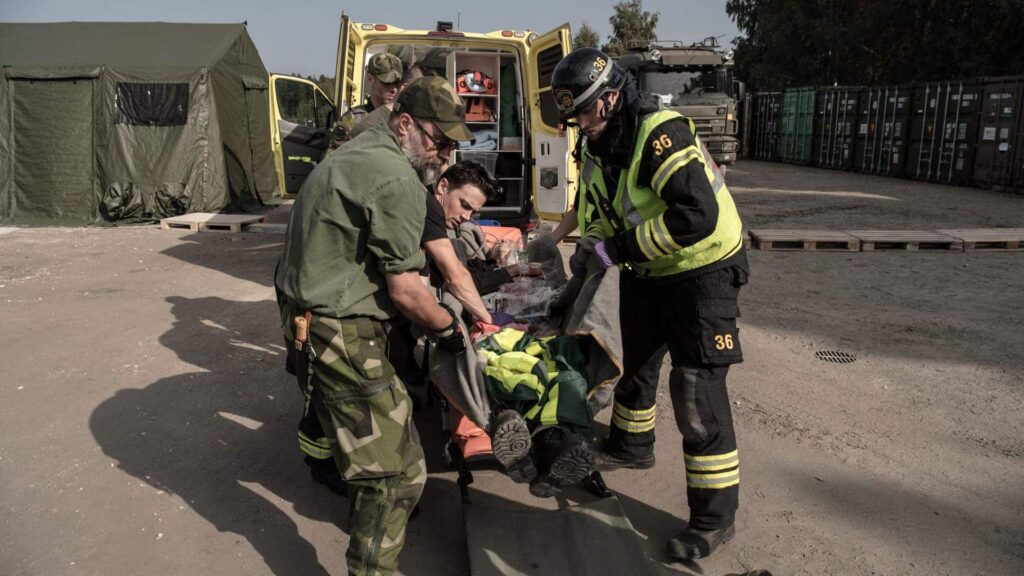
x: 359, y: 217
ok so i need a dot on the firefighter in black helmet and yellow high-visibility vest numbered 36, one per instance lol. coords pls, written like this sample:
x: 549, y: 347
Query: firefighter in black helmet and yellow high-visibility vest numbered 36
x: 654, y: 203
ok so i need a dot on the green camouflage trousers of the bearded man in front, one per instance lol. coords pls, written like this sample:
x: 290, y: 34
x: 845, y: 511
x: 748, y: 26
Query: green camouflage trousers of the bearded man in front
x: 367, y: 415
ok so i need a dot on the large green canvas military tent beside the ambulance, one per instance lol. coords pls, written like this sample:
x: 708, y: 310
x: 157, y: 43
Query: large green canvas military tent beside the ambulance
x: 119, y: 122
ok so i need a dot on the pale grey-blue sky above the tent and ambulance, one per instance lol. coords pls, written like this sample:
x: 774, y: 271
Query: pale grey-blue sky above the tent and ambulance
x: 303, y: 37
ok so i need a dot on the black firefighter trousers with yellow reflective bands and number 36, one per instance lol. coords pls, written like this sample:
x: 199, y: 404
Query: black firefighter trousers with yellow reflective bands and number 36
x: 695, y: 320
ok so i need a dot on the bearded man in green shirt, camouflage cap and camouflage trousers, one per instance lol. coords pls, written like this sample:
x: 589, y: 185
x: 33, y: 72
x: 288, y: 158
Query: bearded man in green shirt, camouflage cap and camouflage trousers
x: 352, y: 260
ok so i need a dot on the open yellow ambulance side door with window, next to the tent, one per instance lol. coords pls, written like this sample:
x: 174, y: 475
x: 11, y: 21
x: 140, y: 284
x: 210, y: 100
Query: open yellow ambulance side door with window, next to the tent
x: 302, y: 116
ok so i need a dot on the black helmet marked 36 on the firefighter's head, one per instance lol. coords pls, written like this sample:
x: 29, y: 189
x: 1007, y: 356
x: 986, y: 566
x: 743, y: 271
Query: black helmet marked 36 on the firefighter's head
x: 581, y: 78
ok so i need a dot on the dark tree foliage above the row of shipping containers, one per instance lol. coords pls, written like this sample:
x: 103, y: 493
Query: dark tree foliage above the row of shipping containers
x: 822, y: 43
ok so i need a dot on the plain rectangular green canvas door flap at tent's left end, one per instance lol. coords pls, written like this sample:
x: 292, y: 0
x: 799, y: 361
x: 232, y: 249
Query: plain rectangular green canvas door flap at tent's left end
x: 54, y: 152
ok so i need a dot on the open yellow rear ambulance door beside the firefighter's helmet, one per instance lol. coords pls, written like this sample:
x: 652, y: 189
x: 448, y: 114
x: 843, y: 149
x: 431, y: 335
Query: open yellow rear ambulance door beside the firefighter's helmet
x: 554, y: 174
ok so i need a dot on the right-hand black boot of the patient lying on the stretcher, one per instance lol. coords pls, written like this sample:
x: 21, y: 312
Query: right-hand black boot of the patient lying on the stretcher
x: 564, y: 459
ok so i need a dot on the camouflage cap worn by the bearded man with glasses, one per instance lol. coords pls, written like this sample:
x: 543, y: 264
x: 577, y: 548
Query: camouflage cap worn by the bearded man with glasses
x: 433, y: 98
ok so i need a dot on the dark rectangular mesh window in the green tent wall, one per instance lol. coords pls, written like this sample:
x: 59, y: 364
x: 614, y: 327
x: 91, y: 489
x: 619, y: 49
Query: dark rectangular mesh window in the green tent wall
x: 153, y: 105
